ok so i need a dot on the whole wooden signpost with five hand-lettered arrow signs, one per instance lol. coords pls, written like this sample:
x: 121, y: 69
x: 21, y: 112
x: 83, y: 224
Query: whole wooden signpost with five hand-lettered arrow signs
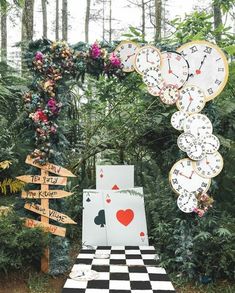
x: 44, y: 194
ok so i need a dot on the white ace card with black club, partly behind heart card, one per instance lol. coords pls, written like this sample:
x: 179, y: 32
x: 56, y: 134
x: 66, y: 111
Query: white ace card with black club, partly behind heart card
x: 93, y: 219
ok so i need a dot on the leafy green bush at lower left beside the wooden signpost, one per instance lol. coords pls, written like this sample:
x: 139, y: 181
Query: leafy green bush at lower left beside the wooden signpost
x: 20, y: 246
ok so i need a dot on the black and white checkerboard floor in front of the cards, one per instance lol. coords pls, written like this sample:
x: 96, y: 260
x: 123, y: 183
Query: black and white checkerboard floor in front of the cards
x: 130, y: 269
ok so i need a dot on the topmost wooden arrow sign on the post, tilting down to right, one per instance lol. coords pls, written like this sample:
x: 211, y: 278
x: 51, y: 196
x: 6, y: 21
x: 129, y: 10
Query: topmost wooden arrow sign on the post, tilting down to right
x: 50, y: 167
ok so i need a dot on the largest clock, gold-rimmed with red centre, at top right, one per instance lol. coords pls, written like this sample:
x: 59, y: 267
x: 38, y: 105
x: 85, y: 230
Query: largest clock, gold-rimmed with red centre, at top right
x: 208, y: 67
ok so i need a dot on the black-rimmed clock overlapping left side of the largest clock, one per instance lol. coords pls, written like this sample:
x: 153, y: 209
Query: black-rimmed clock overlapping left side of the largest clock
x: 174, y: 68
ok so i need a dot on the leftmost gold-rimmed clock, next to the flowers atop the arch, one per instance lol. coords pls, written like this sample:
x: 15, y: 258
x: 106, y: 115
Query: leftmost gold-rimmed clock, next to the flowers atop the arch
x: 126, y: 51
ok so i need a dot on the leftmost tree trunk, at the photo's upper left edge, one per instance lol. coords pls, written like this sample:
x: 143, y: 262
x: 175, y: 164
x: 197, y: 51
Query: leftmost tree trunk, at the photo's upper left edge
x: 3, y: 30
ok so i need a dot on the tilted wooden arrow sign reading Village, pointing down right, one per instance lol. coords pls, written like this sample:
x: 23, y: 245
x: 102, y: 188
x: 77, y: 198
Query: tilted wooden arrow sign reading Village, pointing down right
x: 52, y: 214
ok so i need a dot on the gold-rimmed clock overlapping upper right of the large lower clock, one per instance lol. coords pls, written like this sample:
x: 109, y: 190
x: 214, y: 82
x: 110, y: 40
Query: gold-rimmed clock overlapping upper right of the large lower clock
x: 210, y: 166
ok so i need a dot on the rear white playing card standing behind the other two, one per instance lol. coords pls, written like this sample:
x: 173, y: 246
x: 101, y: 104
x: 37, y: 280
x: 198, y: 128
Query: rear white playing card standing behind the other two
x: 114, y: 177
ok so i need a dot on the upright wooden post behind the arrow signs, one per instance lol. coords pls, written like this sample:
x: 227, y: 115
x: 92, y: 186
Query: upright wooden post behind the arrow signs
x: 45, y: 204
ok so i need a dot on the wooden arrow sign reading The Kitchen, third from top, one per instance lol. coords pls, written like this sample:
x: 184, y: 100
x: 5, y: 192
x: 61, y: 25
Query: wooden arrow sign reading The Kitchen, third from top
x: 49, y: 194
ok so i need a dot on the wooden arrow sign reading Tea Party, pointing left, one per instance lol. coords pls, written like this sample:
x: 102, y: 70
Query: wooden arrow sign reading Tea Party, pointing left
x: 36, y: 179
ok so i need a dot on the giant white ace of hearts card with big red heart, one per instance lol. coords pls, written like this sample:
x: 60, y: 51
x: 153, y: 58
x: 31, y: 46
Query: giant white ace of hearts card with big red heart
x: 125, y: 217
